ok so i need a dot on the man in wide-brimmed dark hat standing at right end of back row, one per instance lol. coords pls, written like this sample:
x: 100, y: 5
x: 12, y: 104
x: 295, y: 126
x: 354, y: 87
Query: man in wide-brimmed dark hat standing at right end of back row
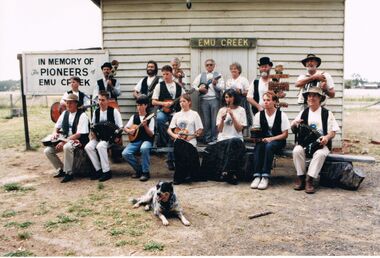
x: 313, y: 78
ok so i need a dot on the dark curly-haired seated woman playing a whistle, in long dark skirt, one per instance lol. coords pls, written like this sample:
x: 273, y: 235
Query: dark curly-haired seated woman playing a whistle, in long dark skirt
x: 223, y: 159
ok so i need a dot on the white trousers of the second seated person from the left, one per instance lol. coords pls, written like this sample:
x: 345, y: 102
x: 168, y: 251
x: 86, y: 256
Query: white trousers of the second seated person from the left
x: 95, y: 147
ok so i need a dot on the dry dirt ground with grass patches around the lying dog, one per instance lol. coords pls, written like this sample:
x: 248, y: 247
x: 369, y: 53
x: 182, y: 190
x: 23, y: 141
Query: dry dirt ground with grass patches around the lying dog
x: 87, y: 218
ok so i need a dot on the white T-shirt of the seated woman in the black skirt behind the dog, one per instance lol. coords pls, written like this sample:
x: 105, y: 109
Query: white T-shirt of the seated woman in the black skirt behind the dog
x: 189, y: 120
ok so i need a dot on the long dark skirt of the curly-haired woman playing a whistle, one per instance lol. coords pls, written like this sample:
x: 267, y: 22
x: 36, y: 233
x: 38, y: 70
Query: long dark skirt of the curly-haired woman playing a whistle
x: 224, y: 156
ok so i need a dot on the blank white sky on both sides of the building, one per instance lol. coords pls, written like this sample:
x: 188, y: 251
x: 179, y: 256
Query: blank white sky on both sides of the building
x: 33, y: 25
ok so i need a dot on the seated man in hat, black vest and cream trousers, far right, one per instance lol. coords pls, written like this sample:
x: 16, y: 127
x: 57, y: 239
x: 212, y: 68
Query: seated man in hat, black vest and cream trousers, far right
x: 323, y: 120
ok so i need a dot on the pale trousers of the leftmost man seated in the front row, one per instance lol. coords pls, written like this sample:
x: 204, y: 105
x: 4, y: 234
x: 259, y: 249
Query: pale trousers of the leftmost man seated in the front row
x: 68, y: 157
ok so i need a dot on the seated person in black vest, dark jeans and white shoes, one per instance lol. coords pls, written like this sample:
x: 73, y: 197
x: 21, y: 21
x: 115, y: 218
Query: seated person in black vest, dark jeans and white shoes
x: 274, y: 125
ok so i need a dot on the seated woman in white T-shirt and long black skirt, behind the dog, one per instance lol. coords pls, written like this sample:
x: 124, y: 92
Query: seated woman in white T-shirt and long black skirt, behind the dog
x: 184, y: 127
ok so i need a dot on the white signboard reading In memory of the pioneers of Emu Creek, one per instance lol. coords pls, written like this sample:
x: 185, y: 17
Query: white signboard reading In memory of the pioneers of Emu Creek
x: 48, y: 73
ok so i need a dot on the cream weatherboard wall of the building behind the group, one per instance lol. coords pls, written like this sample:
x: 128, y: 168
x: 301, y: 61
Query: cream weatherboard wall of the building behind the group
x: 135, y: 31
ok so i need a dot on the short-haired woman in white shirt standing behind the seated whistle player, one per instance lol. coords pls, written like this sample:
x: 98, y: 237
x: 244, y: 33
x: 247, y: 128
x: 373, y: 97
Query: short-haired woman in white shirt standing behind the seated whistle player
x: 241, y: 85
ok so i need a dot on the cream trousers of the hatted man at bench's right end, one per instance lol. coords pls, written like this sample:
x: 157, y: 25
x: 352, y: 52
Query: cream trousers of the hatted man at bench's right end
x: 316, y: 163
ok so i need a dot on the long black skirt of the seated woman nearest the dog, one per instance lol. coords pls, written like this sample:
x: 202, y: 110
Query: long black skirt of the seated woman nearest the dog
x: 187, y: 165
